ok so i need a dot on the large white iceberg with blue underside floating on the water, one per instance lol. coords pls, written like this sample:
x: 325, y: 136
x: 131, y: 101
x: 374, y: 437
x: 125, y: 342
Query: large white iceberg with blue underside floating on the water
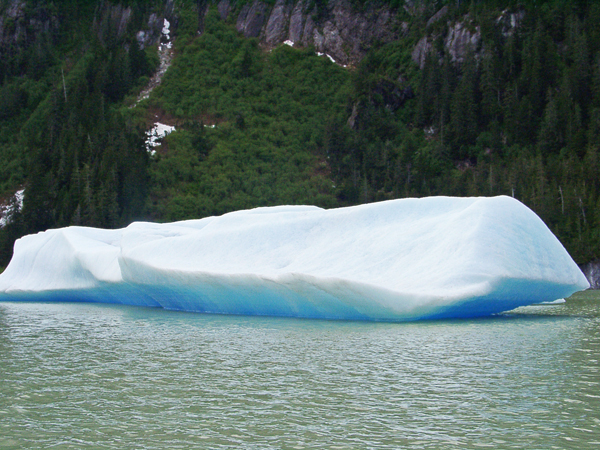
x: 397, y: 260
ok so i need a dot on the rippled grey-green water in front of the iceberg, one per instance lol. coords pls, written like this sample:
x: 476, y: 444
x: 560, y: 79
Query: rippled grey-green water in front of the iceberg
x: 102, y: 376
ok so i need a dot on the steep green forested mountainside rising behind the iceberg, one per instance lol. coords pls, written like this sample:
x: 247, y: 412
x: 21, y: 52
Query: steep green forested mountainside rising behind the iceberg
x: 458, y: 98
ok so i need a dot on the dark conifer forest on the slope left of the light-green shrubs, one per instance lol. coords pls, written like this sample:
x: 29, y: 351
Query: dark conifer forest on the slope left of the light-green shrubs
x: 63, y: 137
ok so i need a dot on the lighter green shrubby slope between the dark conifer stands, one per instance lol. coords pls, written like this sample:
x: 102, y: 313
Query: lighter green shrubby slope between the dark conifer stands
x: 269, y: 117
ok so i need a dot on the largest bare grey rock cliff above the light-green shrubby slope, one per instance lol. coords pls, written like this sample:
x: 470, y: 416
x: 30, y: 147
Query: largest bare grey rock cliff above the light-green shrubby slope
x: 339, y: 30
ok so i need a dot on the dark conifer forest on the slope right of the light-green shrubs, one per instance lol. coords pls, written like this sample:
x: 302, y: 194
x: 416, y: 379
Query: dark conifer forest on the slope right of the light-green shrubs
x: 519, y: 116
